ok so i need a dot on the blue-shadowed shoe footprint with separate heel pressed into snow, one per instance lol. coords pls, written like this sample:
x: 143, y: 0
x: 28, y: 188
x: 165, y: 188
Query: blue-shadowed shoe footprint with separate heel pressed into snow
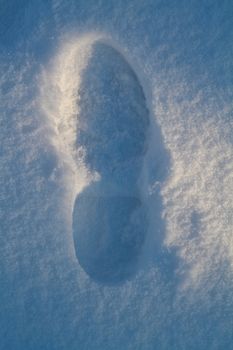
x: 110, y: 221
